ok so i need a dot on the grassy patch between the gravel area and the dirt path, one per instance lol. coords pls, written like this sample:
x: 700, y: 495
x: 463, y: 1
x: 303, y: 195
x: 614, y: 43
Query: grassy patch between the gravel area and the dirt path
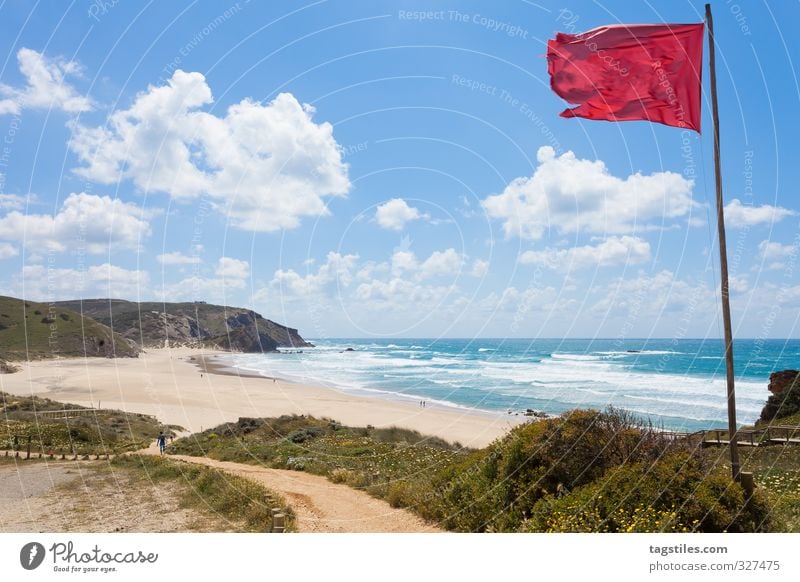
x: 238, y: 500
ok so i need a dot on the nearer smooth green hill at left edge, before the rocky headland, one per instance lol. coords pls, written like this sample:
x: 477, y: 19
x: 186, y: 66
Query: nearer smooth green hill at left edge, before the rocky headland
x: 30, y: 330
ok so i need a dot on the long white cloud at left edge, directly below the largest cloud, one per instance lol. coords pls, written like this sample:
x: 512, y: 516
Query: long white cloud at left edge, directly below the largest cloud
x: 97, y: 223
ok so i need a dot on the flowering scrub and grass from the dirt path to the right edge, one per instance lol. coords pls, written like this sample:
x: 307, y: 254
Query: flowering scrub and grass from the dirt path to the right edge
x: 548, y: 470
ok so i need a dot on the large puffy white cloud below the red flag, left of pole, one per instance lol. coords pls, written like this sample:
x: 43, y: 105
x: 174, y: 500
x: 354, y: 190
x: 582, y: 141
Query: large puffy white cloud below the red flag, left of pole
x: 569, y: 195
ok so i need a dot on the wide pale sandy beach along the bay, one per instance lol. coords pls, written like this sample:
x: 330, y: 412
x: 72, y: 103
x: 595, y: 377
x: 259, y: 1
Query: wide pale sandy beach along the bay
x: 167, y: 383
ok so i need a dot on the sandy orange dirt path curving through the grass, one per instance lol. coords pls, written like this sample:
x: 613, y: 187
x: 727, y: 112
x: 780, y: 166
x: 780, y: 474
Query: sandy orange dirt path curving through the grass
x: 322, y: 506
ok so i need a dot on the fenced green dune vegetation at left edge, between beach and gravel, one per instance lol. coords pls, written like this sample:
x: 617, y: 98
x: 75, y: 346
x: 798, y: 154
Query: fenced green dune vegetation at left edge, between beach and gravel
x: 110, y: 432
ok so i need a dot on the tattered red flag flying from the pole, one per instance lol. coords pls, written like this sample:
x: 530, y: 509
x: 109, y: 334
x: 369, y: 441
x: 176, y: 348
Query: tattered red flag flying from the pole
x: 630, y: 72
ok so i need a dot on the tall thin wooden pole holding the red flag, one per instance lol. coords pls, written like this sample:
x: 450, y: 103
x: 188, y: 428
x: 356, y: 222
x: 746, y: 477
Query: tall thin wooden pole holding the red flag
x: 723, y: 259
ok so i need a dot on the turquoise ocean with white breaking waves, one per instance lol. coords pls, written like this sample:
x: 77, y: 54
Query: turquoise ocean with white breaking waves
x: 675, y: 384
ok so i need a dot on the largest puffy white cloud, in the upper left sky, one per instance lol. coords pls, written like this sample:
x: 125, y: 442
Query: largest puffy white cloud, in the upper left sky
x: 267, y: 166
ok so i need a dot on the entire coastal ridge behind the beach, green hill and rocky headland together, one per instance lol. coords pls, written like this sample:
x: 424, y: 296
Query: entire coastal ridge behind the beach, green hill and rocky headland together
x: 115, y: 328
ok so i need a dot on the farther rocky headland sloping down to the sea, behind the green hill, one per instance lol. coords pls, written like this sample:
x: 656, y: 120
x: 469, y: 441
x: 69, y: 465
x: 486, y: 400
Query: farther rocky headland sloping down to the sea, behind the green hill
x: 155, y: 324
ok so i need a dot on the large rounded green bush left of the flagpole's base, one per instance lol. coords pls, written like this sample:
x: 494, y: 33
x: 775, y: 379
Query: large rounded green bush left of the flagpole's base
x: 496, y: 488
